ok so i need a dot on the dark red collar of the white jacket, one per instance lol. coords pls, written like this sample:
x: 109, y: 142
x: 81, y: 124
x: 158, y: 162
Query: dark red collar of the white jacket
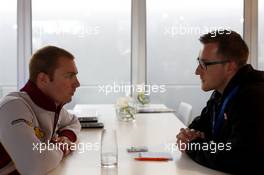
x: 40, y: 98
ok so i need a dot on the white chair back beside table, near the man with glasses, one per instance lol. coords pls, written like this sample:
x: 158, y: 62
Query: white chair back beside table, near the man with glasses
x: 184, y: 113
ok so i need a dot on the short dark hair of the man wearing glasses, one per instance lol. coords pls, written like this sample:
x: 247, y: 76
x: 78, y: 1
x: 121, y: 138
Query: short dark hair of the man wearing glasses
x: 230, y: 45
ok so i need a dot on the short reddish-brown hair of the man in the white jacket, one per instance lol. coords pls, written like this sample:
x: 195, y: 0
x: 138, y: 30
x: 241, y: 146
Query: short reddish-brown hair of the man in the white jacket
x: 45, y: 60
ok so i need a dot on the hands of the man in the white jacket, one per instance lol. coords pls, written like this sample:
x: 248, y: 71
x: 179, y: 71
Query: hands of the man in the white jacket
x: 64, y: 144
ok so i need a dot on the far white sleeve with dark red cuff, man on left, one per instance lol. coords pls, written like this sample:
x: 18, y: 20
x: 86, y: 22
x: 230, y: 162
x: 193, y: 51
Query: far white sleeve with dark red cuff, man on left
x: 68, y: 125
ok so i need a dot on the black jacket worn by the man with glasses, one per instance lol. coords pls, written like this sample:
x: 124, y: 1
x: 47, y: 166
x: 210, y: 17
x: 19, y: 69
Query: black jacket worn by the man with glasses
x: 238, y: 147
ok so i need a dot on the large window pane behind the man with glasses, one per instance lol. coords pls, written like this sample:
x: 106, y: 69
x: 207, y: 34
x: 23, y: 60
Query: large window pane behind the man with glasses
x: 173, y: 29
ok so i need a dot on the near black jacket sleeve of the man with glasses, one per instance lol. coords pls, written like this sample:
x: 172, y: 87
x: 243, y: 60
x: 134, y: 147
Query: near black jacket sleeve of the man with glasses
x: 241, y: 144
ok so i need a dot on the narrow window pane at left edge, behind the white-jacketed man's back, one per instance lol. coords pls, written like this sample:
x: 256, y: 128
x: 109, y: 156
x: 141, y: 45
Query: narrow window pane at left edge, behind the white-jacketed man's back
x: 8, y: 46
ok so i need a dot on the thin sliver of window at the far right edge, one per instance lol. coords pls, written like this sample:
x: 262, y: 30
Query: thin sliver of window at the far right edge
x: 261, y: 35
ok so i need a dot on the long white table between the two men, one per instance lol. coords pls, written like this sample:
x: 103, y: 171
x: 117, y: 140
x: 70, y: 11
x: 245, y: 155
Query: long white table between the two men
x: 156, y: 131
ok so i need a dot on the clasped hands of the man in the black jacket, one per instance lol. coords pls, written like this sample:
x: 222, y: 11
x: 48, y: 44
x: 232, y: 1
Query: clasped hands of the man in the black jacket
x: 185, y: 136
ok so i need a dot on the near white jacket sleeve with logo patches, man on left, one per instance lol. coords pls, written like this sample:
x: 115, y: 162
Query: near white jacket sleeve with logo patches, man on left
x: 17, y: 135
